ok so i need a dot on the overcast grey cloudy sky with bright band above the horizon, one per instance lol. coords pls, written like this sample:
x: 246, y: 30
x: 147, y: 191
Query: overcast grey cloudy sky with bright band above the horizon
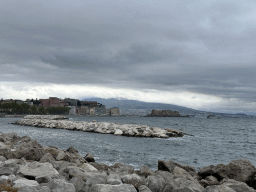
x: 196, y: 54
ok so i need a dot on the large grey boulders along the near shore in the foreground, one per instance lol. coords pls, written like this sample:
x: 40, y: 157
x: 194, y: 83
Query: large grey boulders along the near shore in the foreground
x: 26, y: 166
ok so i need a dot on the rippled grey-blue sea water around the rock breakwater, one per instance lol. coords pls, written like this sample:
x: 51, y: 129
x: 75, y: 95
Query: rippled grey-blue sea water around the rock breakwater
x: 215, y: 141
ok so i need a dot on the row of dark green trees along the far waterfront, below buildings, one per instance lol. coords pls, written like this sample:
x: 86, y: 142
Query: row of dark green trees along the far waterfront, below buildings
x: 15, y: 108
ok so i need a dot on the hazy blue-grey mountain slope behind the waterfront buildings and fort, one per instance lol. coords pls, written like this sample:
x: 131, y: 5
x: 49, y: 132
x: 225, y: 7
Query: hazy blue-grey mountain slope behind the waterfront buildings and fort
x: 133, y: 107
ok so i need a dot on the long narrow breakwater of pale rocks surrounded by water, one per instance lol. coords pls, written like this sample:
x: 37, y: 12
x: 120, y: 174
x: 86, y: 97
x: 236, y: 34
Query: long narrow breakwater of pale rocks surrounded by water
x: 57, y: 122
